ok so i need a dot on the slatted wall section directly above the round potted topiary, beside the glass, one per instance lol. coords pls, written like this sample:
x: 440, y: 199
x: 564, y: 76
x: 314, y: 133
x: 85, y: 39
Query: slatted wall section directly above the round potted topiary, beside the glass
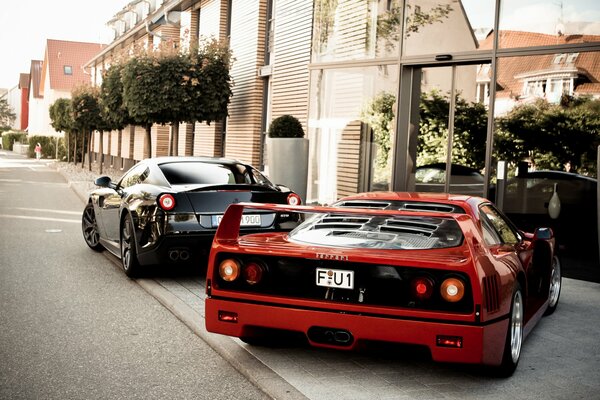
x: 293, y: 30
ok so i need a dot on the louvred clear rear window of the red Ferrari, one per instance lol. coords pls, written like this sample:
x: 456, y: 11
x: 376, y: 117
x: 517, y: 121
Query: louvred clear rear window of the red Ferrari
x: 376, y: 232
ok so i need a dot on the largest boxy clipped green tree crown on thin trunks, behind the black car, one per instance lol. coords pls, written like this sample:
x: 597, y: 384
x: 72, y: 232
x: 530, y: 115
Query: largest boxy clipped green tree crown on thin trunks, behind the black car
x: 169, y: 88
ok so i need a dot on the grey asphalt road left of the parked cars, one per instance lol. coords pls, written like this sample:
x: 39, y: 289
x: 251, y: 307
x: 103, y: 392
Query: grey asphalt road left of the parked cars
x: 72, y: 326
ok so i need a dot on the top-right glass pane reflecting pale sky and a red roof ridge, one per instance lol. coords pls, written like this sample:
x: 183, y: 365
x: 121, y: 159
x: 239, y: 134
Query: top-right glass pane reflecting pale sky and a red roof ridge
x: 548, y: 22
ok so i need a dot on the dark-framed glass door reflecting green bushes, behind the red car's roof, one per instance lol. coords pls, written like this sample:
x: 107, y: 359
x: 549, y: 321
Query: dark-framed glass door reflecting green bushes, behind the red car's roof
x: 448, y: 115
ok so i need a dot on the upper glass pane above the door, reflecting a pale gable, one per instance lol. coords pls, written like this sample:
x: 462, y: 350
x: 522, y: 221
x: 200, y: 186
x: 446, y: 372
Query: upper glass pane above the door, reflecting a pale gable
x: 446, y: 26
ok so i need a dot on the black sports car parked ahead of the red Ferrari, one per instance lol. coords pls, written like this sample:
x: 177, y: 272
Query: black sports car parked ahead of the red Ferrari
x: 166, y: 210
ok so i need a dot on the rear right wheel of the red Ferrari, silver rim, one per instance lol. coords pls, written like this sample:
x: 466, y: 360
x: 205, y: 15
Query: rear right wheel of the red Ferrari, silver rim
x: 514, y: 336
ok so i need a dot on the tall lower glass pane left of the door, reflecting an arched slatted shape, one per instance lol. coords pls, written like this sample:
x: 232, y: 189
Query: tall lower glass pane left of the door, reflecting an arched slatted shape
x: 351, y: 126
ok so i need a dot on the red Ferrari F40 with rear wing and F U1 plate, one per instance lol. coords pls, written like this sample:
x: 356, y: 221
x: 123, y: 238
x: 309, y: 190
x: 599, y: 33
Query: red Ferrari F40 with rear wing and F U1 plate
x: 447, y: 272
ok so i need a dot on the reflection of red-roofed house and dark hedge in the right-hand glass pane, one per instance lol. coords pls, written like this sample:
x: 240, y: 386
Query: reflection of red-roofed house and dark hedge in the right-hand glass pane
x: 547, y: 112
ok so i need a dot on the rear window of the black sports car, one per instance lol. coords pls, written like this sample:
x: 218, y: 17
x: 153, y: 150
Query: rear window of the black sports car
x: 199, y: 173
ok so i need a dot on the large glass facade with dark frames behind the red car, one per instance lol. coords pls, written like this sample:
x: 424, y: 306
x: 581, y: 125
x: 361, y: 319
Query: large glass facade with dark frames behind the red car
x: 423, y: 95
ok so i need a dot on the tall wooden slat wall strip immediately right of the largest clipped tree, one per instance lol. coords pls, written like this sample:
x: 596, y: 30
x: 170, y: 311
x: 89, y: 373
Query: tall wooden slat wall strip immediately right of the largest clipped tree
x: 245, y: 110
